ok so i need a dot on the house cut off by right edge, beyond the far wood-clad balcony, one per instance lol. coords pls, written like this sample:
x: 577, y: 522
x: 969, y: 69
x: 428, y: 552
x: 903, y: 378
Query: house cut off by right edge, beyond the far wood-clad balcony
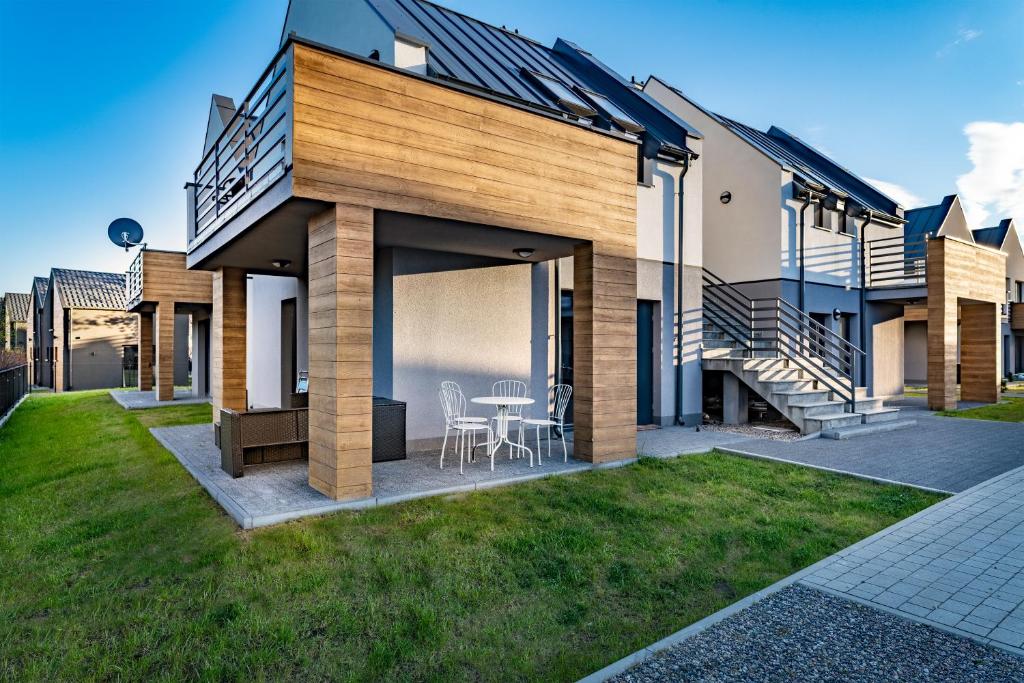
x: 1007, y: 239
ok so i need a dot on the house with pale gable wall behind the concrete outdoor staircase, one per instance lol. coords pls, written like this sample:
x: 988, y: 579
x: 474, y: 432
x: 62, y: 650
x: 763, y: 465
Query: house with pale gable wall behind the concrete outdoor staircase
x: 838, y: 266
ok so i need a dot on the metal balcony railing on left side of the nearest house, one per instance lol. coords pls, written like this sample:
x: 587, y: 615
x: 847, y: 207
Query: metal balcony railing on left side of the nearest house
x: 252, y: 152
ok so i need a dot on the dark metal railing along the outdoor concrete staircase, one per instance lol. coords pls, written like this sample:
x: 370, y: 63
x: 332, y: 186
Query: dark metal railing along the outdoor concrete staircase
x: 776, y: 326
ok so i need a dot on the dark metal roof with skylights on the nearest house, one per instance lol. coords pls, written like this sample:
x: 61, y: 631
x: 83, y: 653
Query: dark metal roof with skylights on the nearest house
x: 504, y: 64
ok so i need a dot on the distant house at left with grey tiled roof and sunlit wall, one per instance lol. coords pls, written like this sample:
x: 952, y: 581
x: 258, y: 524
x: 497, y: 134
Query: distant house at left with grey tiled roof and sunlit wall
x: 86, y: 333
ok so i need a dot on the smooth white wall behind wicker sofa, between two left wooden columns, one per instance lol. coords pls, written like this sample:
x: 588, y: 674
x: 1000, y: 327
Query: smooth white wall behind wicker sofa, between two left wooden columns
x: 265, y: 294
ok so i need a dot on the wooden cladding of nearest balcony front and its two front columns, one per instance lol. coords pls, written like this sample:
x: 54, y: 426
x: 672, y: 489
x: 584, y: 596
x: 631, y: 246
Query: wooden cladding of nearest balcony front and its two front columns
x: 367, y: 139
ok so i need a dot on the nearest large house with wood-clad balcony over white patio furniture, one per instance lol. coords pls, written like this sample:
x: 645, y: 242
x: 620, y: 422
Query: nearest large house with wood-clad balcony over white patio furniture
x: 415, y: 196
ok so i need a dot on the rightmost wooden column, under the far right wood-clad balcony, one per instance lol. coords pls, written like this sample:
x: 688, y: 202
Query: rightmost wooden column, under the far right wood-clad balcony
x: 980, y: 353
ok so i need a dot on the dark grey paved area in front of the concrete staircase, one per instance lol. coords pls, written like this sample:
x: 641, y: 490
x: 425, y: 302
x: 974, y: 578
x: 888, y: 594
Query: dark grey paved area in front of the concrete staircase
x: 947, y: 454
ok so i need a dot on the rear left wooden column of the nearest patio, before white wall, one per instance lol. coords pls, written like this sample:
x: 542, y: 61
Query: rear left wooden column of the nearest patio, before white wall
x: 228, y: 343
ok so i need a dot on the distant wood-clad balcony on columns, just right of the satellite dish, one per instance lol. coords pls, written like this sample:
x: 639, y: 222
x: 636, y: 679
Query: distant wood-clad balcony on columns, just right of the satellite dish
x: 175, y: 308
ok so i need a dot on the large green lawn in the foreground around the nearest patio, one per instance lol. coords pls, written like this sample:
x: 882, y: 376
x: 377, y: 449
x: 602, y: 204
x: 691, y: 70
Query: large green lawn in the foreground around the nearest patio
x: 114, y: 564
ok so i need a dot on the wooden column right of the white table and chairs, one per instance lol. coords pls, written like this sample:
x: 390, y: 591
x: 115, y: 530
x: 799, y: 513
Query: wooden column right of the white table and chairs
x: 605, y: 307
